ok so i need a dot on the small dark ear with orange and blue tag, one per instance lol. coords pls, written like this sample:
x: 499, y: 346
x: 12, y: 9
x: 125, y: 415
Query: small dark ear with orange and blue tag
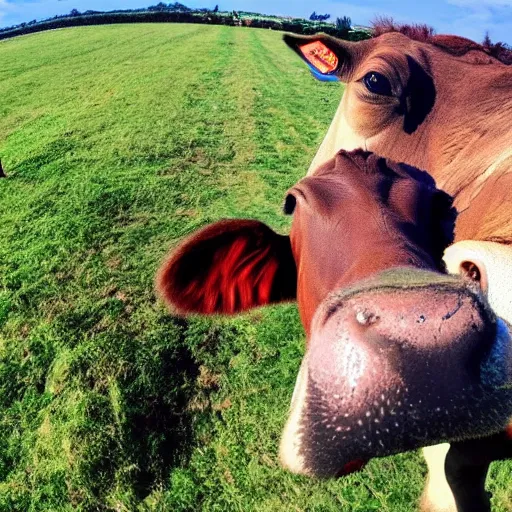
x: 327, y: 57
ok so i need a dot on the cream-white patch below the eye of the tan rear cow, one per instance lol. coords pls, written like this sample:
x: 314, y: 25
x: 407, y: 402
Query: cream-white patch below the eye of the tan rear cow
x: 339, y: 136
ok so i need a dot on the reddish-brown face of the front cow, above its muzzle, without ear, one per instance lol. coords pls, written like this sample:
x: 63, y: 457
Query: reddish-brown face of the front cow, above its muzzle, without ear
x: 358, y: 215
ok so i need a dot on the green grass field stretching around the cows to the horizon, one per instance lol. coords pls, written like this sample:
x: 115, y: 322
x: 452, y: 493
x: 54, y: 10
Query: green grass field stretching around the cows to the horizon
x: 119, y: 140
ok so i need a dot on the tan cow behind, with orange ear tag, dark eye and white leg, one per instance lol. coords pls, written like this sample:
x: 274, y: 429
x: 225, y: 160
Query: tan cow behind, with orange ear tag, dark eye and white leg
x: 442, y: 103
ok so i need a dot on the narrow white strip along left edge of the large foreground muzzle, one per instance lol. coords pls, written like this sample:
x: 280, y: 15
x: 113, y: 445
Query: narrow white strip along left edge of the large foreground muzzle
x: 289, y: 450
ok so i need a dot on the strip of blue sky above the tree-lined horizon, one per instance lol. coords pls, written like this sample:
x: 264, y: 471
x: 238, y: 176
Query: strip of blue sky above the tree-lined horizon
x: 469, y: 18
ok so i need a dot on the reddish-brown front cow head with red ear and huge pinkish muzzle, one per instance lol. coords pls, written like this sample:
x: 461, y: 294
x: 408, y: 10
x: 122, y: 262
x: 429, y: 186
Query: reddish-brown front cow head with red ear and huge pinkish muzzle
x: 399, y: 354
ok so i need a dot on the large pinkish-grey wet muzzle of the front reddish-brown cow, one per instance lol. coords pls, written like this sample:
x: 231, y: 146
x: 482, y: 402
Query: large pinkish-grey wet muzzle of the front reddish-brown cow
x: 408, y: 359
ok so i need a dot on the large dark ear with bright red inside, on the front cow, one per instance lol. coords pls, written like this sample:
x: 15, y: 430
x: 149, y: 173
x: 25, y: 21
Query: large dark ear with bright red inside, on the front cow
x: 228, y: 267
